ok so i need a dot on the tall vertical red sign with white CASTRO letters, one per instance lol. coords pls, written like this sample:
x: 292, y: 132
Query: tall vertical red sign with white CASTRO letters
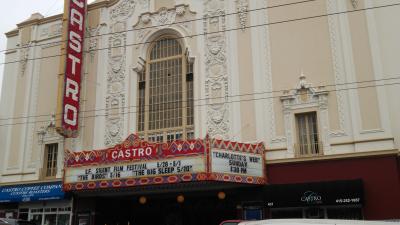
x: 73, y: 70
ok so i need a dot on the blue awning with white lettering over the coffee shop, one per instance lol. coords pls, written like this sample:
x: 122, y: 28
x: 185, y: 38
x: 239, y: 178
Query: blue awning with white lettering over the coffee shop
x: 31, y: 192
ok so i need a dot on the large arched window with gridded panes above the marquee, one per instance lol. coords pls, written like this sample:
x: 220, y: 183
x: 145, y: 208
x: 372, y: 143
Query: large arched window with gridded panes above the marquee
x: 165, y: 95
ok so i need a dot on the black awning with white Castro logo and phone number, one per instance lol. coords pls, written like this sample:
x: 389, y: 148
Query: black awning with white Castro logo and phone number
x: 334, y: 200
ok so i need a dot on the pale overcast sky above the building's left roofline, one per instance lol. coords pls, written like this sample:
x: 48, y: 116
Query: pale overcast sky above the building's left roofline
x: 16, y: 11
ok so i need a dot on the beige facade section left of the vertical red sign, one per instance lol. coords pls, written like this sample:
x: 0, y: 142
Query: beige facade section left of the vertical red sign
x: 32, y: 88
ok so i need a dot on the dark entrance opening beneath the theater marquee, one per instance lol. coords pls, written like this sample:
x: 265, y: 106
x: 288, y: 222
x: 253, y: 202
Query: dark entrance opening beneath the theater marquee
x: 199, y: 209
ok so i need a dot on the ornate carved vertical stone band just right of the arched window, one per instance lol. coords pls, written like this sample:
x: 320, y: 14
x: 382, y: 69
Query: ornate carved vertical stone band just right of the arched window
x: 217, y: 89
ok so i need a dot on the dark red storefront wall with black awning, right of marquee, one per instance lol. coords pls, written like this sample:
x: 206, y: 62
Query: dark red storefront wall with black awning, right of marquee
x: 371, y: 184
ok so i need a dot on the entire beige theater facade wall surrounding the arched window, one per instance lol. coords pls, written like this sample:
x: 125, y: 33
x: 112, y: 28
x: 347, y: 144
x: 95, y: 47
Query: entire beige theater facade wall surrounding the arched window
x: 322, y: 49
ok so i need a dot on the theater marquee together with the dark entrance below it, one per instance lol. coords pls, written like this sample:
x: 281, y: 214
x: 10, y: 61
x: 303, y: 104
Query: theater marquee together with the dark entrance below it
x: 202, y: 181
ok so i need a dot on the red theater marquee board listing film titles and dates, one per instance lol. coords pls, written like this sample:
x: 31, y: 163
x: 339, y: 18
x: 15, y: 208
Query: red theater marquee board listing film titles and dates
x: 136, y: 162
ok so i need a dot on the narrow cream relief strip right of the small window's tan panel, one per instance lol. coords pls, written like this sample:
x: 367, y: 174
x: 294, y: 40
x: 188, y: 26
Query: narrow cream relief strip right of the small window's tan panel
x: 338, y: 65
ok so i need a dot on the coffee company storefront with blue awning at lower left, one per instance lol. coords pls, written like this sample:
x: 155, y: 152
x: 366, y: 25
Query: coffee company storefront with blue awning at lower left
x: 43, y: 203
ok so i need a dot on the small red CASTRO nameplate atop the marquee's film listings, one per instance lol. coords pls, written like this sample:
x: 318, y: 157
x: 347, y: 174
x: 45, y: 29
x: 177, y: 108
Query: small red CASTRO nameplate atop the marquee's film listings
x: 131, y: 153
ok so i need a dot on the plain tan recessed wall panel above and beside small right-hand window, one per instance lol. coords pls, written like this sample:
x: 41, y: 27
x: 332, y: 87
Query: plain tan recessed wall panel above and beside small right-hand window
x: 300, y: 46
